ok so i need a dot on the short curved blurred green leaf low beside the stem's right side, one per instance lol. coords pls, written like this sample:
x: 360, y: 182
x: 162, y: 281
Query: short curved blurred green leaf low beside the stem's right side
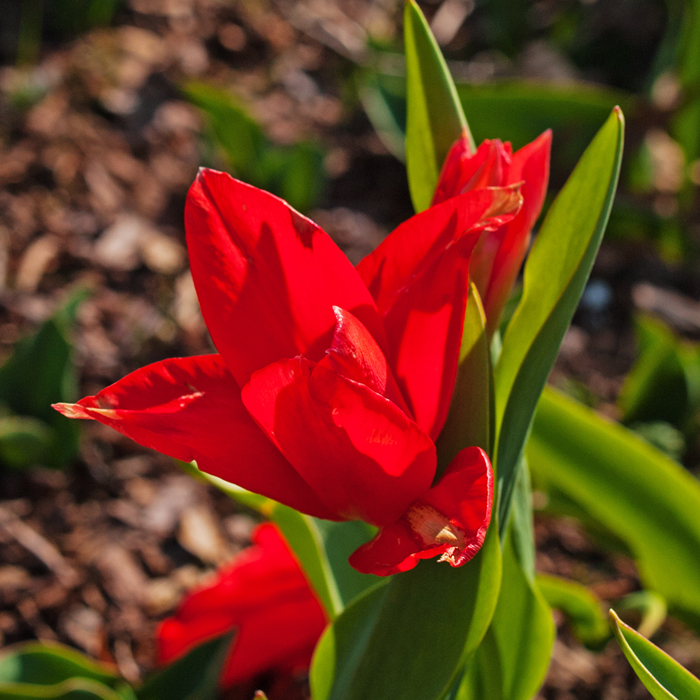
x: 582, y: 608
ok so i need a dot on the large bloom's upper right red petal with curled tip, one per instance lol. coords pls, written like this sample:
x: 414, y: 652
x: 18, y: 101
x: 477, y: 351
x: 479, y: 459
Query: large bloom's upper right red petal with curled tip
x: 419, y: 278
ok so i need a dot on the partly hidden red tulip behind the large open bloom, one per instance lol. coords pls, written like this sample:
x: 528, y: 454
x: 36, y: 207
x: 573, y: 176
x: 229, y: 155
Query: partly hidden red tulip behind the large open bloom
x: 499, y: 254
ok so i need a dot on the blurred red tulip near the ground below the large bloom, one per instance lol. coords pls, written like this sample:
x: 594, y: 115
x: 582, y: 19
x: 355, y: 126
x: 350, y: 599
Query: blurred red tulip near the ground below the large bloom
x: 264, y: 596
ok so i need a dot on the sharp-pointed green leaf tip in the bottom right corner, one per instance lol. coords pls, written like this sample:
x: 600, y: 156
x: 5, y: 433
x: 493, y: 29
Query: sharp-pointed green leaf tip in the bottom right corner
x: 663, y: 677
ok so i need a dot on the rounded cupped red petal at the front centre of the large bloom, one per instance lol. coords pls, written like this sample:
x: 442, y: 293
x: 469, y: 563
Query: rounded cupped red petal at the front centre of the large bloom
x: 359, y: 452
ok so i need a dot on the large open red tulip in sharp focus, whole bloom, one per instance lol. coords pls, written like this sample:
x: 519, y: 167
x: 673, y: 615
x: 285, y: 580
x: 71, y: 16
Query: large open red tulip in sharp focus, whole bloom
x: 331, y: 383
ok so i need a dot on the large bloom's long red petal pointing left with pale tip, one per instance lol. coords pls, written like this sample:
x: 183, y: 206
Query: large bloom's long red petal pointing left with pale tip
x: 190, y: 408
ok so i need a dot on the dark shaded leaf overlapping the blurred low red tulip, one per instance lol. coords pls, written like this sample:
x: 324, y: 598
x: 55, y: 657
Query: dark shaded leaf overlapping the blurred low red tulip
x: 193, y: 677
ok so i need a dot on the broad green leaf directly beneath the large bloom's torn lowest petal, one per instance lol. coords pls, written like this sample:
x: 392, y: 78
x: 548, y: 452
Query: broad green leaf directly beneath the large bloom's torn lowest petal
x: 410, y: 637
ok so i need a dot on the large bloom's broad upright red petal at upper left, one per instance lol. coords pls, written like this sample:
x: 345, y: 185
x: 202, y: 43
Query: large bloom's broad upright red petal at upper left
x: 266, y: 276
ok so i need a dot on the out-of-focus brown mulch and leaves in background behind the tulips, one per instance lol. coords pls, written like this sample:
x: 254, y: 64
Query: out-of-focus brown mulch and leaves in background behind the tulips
x: 107, y: 109
